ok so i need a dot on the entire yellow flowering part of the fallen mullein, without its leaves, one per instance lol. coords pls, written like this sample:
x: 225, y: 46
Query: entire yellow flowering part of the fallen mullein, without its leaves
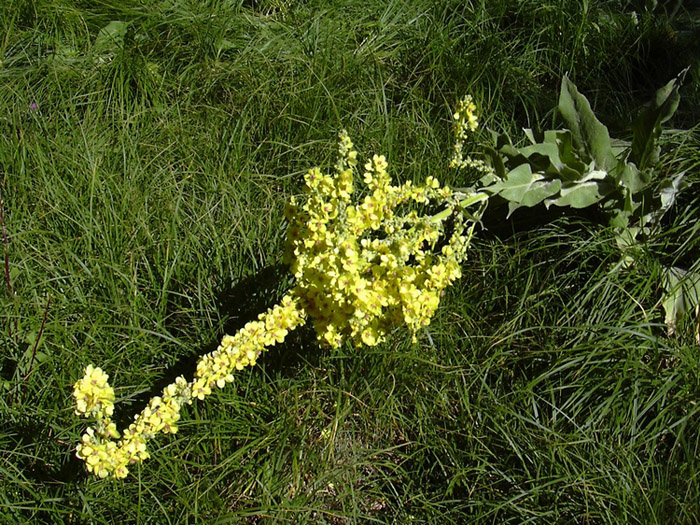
x: 361, y: 268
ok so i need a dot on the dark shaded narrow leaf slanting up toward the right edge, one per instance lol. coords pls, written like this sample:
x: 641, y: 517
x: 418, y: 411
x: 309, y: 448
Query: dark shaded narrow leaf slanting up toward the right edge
x: 647, y: 126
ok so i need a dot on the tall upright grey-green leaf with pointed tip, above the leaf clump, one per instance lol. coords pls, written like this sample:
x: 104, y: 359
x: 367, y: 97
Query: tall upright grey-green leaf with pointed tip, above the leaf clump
x: 590, y: 136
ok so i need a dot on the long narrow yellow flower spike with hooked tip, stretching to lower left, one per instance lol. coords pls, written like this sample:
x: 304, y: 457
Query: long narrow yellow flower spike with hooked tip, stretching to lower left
x: 99, y: 448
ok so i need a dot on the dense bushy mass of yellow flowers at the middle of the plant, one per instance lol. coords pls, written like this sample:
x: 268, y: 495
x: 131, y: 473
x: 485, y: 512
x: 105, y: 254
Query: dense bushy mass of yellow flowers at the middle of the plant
x: 361, y: 268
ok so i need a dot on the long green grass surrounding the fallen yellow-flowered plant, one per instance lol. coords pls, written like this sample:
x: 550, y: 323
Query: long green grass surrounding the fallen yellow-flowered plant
x: 143, y: 198
